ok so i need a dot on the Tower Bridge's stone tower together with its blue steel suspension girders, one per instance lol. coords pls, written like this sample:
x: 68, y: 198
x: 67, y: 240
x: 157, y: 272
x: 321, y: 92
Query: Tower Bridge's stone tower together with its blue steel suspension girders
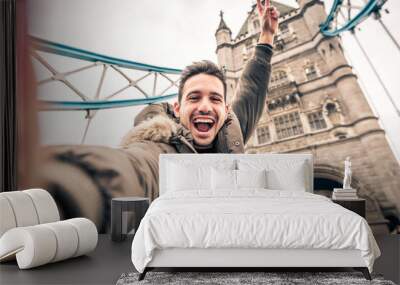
x: 315, y: 105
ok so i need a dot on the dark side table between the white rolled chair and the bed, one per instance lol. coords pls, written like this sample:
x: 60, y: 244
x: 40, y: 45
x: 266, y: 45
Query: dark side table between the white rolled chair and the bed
x: 120, y: 208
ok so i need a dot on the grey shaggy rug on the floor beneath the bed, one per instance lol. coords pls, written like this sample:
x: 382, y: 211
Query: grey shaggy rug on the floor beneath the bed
x: 232, y: 278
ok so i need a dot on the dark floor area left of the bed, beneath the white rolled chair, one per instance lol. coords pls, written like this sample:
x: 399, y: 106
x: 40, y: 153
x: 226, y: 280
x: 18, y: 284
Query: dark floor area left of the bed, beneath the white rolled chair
x: 102, y: 266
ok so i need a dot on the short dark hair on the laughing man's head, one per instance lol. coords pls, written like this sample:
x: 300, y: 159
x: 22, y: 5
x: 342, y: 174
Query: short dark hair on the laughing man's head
x: 199, y: 67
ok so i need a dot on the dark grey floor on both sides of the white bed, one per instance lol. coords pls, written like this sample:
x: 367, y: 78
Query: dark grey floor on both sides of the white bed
x: 110, y: 260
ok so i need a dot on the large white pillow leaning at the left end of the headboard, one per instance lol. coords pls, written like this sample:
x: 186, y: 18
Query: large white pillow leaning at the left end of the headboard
x: 182, y: 177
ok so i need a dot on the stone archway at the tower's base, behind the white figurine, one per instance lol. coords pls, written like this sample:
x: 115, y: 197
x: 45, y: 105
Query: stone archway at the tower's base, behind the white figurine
x: 328, y: 177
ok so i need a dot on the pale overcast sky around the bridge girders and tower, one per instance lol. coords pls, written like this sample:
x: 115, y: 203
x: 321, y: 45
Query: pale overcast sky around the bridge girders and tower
x: 175, y: 33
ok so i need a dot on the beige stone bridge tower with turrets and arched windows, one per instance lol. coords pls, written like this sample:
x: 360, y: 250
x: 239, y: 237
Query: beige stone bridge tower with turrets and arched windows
x: 315, y: 105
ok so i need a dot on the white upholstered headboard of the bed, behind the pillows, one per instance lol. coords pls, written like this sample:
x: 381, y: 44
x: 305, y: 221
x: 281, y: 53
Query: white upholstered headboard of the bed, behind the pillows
x: 285, y: 169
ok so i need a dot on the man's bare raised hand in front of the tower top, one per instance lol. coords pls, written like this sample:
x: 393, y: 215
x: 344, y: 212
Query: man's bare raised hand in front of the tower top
x: 269, y: 22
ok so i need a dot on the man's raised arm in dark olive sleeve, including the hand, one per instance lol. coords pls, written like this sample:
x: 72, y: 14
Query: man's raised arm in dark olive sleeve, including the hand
x: 250, y: 97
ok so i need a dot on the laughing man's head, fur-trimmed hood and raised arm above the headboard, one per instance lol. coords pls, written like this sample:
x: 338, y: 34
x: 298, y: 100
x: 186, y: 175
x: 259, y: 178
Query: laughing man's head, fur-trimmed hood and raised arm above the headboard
x: 201, y: 121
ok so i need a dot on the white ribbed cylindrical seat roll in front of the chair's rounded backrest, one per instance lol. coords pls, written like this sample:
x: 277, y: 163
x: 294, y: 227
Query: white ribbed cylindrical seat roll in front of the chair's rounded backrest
x: 45, y: 243
